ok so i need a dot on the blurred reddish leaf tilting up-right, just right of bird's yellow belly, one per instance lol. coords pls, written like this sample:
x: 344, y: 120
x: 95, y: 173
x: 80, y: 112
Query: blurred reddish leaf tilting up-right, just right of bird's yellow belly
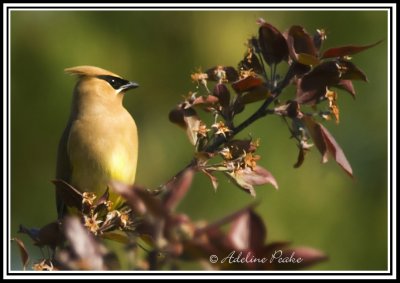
x: 177, y: 188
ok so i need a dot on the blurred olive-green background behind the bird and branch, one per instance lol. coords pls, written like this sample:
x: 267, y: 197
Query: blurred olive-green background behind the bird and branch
x: 316, y: 205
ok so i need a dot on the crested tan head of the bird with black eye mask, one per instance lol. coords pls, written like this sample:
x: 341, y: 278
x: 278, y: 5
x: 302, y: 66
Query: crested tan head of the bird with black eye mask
x: 98, y: 86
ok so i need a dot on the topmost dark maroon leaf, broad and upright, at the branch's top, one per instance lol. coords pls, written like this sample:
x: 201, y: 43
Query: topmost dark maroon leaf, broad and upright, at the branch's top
x: 272, y: 44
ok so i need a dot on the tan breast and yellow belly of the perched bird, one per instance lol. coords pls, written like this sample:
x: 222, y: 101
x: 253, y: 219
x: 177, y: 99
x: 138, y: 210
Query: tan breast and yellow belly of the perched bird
x: 102, y: 154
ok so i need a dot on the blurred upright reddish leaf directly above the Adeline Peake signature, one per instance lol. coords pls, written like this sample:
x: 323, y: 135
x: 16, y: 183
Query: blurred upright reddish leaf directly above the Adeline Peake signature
x: 248, y: 232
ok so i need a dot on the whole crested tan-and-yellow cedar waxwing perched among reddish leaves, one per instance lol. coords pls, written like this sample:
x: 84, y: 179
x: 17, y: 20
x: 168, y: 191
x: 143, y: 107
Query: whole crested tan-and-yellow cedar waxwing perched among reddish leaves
x: 100, y: 141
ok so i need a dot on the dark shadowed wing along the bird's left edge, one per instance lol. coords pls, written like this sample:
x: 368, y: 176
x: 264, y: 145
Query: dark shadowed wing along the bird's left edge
x: 63, y: 168
